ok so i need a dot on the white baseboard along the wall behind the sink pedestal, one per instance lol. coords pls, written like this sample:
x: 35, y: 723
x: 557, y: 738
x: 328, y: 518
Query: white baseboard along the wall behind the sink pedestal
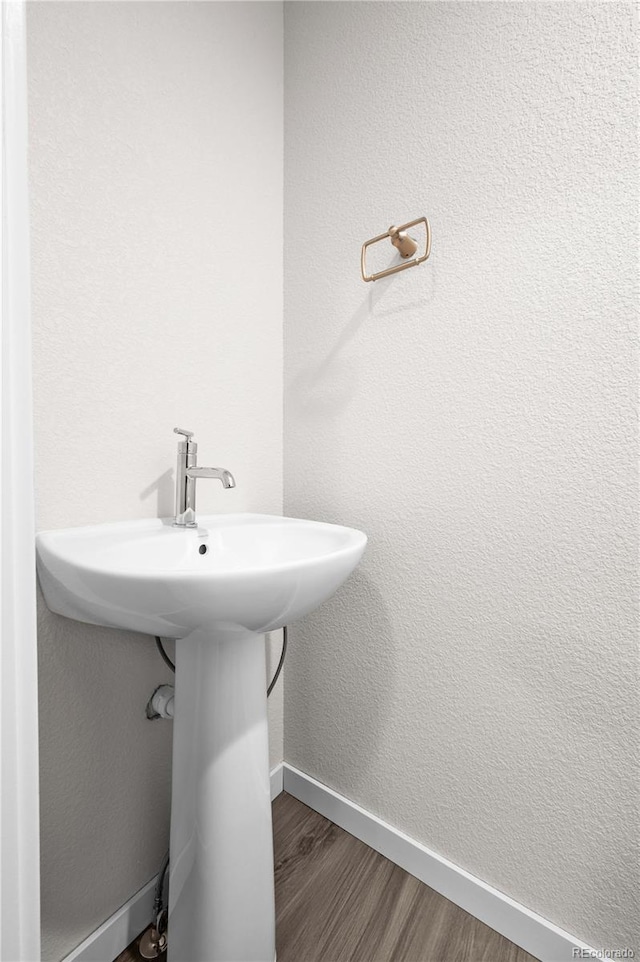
x: 114, y: 935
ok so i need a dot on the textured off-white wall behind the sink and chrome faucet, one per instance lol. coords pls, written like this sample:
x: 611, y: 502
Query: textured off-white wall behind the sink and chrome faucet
x: 156, y: 182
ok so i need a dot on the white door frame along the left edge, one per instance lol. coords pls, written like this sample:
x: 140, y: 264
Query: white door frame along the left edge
x: 19, y: 799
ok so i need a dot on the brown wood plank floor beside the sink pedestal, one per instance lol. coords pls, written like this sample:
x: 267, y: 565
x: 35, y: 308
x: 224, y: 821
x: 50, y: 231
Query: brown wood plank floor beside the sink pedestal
x: 339, y: 901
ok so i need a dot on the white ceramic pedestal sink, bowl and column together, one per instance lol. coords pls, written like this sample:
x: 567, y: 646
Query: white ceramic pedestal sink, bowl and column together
x: 216, y: 589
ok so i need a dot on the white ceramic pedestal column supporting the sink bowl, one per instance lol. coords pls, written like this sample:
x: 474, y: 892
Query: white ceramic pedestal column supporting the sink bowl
x: 222, y: 906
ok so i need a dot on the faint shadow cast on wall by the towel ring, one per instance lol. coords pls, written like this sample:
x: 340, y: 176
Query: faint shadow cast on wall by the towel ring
x: 326, y: 389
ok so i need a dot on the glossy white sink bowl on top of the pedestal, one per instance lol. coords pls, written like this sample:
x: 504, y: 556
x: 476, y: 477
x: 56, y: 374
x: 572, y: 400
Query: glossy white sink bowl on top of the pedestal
x: 249, y: 572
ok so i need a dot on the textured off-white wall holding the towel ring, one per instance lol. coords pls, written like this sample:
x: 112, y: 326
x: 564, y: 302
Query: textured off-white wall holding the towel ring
x: 474, y: 682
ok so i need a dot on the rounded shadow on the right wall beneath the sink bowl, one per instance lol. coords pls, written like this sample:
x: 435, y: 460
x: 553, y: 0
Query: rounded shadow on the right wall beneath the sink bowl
x: 339, y: 687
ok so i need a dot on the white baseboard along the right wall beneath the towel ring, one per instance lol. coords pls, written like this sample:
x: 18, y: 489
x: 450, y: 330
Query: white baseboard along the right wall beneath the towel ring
x: 531, y: 932
